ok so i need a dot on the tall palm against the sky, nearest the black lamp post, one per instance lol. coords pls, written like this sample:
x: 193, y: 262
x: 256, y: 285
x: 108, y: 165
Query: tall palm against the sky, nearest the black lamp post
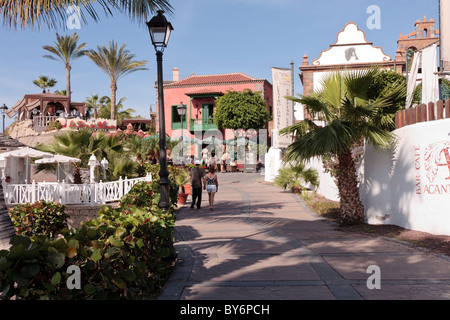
x: 116, y: 63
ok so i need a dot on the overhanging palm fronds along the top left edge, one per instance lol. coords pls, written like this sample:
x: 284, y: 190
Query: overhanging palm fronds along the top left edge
x: 32, y: 14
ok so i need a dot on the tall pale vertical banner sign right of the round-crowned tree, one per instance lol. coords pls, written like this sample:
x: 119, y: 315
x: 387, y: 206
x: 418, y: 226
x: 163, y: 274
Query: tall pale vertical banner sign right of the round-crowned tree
x: 283, y: 109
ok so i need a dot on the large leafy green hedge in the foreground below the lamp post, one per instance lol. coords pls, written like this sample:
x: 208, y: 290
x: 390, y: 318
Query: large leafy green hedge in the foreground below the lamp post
x: 125, y: 253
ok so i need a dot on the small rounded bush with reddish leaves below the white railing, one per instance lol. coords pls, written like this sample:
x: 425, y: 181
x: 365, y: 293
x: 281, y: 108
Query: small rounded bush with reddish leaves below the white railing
x: 41, y: 217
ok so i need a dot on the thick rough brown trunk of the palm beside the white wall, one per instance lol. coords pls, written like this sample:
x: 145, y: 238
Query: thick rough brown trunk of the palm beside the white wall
x: 351, y: 208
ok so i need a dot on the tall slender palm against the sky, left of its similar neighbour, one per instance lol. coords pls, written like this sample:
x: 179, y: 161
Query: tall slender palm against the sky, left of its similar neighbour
x: 66, y: 50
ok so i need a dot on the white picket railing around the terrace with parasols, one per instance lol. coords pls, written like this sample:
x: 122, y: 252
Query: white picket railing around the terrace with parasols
x: 65, y: 193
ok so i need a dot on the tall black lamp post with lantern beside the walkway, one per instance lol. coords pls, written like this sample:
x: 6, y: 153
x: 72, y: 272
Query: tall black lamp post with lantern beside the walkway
x: 160, y: 30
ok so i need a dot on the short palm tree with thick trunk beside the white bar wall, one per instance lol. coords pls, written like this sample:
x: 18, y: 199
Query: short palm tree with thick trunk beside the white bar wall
x: 351, y: 119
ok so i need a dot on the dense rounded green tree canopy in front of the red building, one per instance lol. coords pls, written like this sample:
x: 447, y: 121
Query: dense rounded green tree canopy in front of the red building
x: 241, y: 110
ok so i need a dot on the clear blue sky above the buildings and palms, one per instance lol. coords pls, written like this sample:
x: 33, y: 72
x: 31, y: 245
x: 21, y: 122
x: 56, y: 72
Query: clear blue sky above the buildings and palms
x: 209, y: 37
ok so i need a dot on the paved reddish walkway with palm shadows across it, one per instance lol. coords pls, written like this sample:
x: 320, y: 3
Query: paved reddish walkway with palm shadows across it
x: 262, y: 243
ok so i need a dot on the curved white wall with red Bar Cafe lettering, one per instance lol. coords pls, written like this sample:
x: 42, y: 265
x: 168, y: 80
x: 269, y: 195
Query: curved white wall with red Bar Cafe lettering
x: 409, y: 186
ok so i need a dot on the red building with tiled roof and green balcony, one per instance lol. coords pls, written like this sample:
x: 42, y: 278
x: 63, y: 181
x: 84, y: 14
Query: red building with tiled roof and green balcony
x: 199, y: 93
